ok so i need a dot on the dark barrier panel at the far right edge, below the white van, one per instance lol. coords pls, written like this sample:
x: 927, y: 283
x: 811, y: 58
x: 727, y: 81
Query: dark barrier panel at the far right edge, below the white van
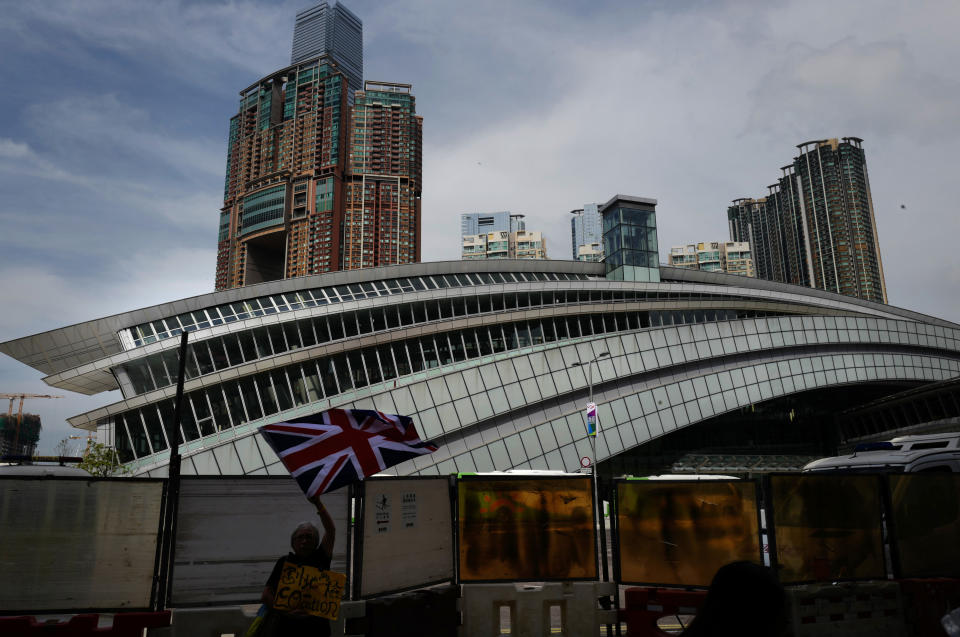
x: 926, y: 523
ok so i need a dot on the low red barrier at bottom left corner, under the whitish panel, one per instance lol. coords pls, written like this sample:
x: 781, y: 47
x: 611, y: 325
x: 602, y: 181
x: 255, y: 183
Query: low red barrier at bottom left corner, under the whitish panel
x: 124, y: 625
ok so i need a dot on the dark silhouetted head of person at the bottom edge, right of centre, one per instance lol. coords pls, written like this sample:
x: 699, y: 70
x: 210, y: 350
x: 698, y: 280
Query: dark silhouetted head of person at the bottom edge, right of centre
x: 744, y: 600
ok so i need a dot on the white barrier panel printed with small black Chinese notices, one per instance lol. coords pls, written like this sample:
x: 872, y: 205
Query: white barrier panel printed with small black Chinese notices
x: 406, y: 535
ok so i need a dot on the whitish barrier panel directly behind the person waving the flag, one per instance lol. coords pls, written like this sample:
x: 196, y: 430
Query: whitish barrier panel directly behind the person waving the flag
x: 230, y: 532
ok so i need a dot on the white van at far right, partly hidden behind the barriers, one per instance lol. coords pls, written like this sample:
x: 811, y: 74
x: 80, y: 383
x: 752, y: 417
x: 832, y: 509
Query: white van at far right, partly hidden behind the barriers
x: 906, y: 454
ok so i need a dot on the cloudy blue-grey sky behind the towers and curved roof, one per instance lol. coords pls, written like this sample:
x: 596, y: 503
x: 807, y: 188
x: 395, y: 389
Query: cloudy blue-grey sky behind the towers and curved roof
x: 114, y: 118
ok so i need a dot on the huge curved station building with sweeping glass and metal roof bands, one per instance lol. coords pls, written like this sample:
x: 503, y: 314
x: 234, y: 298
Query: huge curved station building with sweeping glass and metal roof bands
x: 483, y: 355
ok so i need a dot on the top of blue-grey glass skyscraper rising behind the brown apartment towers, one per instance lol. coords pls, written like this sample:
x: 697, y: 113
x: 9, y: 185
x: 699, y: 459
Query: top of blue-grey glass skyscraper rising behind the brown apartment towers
x: 336, y: 32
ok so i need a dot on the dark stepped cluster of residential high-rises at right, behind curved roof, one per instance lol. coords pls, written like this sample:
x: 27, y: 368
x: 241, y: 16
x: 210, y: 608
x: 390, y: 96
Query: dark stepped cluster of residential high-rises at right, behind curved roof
x: 817, y: 225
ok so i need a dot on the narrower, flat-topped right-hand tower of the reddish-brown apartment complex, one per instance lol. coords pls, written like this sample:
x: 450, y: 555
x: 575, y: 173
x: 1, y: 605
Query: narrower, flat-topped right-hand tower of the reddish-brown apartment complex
x: 382, y: 216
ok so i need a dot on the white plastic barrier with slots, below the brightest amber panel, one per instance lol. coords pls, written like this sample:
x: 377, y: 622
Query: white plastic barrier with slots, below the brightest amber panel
x: 531, y: 607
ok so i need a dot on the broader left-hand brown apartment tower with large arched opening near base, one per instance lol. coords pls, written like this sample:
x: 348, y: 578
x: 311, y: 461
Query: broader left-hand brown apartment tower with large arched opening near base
x: 282, y: 212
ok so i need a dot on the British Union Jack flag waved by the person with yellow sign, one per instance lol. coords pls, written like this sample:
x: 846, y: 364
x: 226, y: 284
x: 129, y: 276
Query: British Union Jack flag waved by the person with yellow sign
x: 333, y: 448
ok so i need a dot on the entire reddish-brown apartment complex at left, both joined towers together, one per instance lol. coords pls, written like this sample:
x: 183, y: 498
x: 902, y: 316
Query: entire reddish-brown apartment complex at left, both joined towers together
x: 305, y: 196
